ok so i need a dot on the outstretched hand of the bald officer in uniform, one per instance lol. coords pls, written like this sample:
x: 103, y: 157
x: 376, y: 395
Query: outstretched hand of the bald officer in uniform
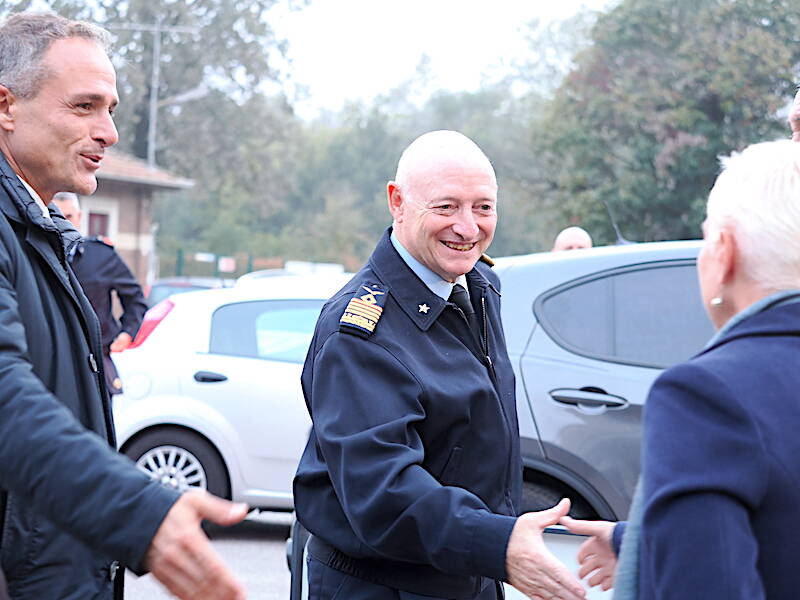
x: 531, y: 567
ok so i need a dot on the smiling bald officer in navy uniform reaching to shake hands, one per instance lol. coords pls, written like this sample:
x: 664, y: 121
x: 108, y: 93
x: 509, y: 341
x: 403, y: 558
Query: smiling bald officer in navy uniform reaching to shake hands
x: 410, y: 481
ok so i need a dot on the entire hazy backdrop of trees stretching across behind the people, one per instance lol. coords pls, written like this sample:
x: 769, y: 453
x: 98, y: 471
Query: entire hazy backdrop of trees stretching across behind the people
x: 628, y: 109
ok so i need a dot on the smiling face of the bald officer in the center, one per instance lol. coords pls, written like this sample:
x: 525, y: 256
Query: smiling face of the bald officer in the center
x: 446, y: 213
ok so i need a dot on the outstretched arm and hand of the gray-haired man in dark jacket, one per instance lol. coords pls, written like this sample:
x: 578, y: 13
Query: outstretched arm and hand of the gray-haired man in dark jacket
x: 73, y: 477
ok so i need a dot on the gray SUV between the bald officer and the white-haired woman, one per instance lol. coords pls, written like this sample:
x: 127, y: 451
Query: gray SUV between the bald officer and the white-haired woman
x: 588, y: 331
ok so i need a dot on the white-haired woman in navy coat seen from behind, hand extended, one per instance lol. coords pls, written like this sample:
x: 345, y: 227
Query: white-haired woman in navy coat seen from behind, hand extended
x: 717, y: 512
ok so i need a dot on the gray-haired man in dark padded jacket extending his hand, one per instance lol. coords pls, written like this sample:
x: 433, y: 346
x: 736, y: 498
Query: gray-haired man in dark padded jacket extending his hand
x: 71, y: 509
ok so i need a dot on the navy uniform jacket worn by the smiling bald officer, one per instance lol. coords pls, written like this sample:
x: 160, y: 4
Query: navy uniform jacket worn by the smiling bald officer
x: 413, y: 461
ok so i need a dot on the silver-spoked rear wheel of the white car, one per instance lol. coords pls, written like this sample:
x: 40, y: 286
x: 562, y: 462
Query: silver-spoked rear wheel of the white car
x: 180, y: 460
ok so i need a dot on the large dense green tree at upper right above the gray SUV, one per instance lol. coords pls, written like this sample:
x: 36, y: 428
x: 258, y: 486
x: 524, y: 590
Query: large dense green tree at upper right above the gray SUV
x: 664, y: 88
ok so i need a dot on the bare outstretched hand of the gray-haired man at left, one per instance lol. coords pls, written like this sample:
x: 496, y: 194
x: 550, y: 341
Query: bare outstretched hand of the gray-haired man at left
x: 180, y: 555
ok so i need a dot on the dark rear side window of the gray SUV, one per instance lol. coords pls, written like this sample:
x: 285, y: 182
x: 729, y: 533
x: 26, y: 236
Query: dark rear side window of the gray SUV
x: 651, y: 316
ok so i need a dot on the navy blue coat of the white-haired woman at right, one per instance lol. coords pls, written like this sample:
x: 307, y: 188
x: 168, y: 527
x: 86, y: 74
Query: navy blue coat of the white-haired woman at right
x: 721, y: 466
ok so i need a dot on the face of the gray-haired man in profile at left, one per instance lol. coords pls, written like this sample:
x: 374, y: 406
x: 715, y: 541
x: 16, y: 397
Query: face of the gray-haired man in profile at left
x: 56, y: 139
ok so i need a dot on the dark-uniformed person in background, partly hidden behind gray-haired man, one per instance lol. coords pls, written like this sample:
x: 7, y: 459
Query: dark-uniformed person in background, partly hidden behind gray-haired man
x: 100, y: 270
